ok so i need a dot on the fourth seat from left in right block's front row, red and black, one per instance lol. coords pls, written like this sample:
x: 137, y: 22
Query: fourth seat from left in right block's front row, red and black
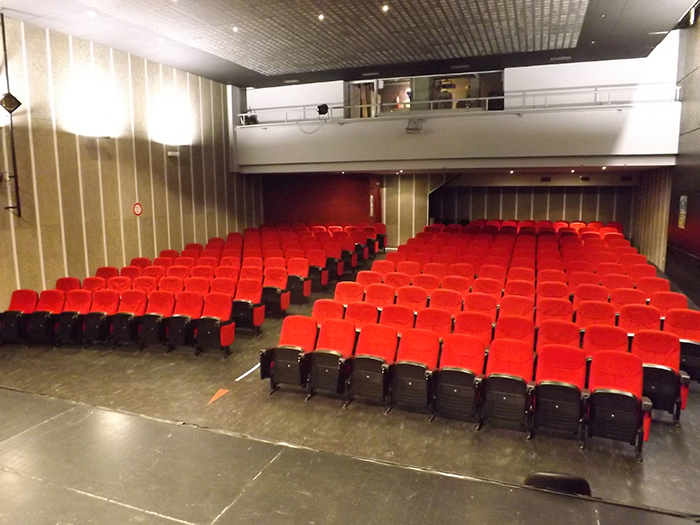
x: 412, y: 374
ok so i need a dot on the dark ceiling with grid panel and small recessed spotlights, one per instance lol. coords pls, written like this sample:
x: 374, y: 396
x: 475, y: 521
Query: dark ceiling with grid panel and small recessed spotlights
x: 283, y: 41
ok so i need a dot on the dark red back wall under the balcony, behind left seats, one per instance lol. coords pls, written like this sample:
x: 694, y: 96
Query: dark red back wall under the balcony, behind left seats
x: 319, y: 198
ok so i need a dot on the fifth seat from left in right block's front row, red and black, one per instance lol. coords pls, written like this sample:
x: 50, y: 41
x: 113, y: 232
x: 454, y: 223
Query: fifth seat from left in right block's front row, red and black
x: 456, y: 392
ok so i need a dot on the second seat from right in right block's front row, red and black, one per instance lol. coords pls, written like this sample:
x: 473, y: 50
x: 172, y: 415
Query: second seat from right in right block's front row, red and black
x: 560, y: 380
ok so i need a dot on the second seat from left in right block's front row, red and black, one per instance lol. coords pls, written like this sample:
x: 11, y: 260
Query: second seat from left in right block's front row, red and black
x: 330, y: 362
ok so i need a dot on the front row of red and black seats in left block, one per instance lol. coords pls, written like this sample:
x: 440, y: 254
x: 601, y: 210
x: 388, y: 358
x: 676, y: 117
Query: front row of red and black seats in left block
x: 190, y: 318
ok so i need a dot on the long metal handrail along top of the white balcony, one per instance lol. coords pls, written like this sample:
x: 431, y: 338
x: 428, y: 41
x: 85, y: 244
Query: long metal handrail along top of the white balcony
x: 536, y: 99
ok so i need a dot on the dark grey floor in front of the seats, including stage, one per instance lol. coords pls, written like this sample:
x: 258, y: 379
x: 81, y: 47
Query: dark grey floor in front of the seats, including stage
x: 114, y: 436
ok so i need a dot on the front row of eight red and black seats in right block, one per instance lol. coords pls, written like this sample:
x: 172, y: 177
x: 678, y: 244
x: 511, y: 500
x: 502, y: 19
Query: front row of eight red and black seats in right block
x: 456, y: 379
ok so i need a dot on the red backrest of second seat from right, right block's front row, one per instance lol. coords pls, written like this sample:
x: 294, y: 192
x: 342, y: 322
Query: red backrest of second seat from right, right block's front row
x: 561, y: 363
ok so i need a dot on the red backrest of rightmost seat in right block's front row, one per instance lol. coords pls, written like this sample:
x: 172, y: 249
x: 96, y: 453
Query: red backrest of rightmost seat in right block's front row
x: 616, y: 371
